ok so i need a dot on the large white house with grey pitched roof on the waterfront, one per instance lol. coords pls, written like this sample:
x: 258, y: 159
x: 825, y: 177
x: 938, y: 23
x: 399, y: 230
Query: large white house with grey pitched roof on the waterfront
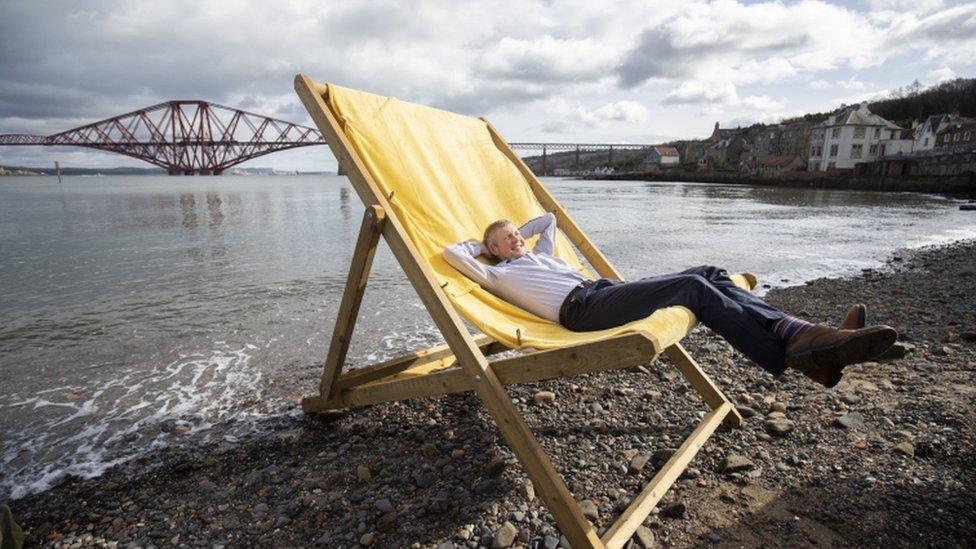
x: 849, y: 137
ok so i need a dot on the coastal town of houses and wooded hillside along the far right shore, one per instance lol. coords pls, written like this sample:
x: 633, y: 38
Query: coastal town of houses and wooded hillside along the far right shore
x: 851, y: 141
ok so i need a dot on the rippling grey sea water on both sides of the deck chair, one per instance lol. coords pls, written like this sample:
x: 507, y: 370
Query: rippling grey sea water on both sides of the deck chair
x: 142, y: 312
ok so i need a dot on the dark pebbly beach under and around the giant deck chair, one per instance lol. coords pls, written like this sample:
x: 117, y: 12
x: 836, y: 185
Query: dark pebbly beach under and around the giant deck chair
x: 436, y: 465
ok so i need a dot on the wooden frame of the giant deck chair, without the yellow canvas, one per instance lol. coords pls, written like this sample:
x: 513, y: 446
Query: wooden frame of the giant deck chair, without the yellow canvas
x: 462, y: 365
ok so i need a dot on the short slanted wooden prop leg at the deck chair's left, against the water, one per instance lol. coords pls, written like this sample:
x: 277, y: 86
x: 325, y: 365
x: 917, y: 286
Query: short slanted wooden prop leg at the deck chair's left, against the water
x: 352, y: 297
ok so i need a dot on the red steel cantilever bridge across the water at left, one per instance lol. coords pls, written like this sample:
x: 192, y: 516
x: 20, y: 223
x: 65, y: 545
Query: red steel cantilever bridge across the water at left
x: 185, y: 137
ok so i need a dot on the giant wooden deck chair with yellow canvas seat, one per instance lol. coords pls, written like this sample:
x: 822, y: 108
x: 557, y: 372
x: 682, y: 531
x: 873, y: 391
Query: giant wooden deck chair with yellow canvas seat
x: 430, y: 178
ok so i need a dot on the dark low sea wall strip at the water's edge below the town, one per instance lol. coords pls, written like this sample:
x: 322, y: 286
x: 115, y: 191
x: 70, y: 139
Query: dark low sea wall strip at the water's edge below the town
x: 961, y: 187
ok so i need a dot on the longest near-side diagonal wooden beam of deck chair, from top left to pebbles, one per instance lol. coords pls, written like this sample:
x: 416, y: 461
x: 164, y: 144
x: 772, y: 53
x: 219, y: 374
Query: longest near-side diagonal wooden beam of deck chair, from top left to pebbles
x: 549, y: 485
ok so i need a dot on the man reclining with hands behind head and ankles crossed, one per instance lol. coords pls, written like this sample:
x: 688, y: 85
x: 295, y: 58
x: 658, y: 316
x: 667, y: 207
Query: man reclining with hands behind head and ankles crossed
x: 545, y: 285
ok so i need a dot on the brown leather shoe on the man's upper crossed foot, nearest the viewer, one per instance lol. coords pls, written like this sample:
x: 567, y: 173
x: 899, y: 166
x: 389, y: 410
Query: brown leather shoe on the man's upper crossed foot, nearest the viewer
x: 821, y: 352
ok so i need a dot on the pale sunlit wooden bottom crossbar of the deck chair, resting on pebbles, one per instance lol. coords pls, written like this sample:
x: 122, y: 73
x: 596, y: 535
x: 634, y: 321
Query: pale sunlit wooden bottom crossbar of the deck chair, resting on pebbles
x: 634, y: 515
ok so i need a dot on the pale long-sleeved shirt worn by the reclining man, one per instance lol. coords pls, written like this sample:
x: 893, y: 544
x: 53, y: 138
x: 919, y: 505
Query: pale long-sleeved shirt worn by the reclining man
x: 537, y: 282
